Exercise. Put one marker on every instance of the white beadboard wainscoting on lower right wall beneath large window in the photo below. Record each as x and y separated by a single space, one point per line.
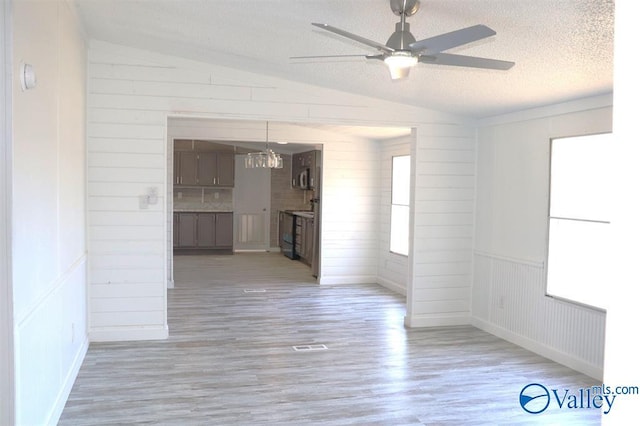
509 300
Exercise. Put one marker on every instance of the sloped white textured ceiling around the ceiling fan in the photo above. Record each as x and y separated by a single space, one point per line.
563 49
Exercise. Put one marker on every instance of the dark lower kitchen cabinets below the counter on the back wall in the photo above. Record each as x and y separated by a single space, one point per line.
203 230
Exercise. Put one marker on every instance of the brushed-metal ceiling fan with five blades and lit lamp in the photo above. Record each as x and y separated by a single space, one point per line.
402 51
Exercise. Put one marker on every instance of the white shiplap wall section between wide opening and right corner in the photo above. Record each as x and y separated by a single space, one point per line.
444 181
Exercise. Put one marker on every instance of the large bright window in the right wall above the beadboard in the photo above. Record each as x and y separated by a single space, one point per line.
579 217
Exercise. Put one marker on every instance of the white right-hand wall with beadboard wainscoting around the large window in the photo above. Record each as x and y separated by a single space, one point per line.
509 283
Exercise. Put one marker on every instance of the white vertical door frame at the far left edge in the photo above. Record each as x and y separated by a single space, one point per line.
7 387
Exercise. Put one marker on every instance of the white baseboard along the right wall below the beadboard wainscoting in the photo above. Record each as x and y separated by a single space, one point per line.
553 354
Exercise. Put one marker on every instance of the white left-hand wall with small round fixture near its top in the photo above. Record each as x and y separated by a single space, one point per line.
48 229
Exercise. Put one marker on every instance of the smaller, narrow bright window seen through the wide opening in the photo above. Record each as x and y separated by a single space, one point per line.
400 186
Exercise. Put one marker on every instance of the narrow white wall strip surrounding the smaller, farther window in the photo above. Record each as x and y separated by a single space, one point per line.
392 267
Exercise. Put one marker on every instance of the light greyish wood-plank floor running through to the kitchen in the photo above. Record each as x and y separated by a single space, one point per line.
229 359
